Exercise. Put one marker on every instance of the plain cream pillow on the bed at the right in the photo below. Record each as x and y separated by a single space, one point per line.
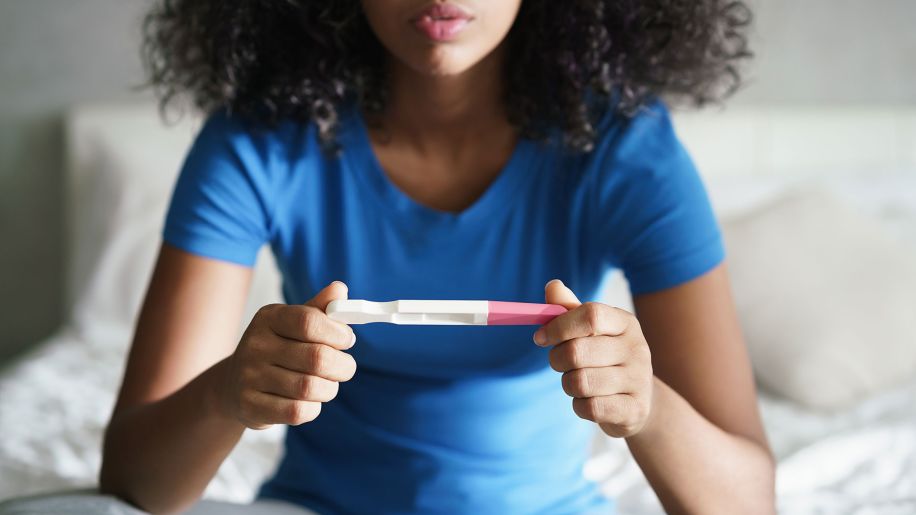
826 298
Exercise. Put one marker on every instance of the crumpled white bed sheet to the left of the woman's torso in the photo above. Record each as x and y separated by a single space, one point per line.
54 408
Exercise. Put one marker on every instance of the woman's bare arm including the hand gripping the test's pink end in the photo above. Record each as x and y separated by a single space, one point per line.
677 384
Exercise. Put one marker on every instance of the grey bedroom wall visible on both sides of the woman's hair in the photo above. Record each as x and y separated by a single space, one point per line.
56 53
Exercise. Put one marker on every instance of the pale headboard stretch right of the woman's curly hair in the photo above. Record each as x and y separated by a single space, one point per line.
771 141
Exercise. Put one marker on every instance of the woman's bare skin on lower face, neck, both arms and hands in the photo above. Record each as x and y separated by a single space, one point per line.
673 379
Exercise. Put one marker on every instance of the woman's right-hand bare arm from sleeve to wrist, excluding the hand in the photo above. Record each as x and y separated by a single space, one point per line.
703 448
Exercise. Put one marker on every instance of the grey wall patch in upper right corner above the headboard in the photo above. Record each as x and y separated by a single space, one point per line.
833 52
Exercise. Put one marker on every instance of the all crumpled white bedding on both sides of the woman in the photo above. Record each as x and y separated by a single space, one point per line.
55 403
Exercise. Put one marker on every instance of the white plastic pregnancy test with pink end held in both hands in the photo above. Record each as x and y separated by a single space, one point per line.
442 312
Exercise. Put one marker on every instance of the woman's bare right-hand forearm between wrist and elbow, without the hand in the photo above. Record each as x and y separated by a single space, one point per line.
696 467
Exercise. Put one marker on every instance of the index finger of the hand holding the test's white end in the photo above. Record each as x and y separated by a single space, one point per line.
310 324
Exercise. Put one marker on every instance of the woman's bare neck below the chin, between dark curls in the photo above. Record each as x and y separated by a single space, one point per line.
434 112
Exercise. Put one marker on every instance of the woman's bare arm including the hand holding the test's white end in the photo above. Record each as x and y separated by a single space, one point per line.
190 391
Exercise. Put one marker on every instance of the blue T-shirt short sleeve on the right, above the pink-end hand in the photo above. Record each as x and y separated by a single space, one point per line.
651 216
